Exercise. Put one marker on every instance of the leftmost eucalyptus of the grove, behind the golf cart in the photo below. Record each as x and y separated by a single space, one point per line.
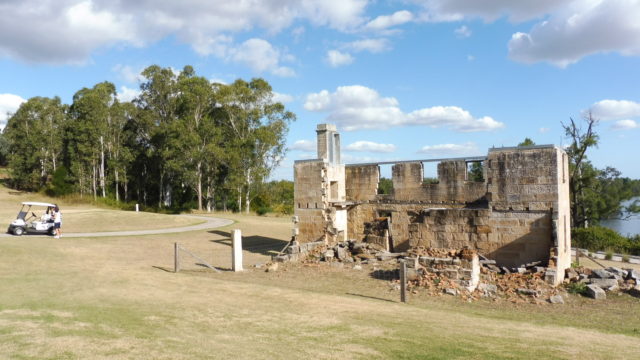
34 138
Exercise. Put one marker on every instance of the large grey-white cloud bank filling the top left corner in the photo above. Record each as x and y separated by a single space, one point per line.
68 31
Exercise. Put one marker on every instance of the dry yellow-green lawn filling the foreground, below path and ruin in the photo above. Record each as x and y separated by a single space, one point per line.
116 298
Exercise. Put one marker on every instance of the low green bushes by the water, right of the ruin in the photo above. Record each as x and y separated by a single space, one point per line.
597 238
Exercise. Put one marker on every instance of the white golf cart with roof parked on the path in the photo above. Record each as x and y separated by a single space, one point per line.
28 222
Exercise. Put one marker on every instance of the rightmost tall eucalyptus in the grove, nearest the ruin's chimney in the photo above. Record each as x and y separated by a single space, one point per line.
258 127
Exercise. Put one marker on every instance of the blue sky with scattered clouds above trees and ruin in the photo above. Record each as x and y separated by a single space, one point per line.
401 79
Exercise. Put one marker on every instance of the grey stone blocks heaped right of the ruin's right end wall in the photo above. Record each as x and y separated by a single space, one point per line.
597 283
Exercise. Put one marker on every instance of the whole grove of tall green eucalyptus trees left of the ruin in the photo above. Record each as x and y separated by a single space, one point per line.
182 143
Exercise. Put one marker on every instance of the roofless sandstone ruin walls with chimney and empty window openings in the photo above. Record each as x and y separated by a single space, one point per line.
518 214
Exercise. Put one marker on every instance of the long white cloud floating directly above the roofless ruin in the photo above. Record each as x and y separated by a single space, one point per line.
358 107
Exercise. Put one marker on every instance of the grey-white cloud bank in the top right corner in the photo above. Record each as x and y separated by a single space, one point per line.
566 32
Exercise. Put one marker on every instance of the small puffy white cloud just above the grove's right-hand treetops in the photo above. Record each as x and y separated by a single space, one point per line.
260 56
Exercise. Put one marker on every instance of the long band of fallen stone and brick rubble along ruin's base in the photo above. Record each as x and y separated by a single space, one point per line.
468 275
